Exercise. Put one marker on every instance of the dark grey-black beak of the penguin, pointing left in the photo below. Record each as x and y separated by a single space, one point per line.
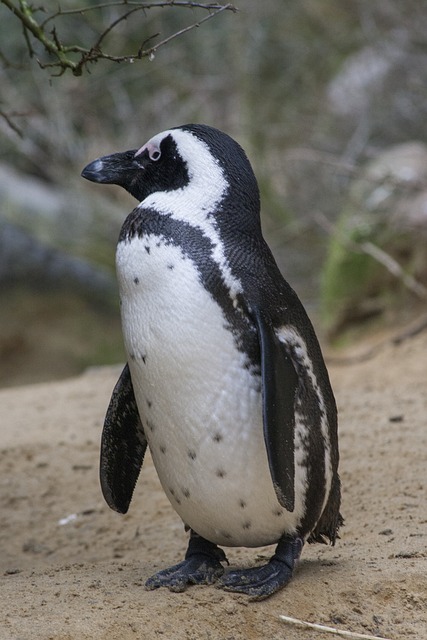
117 168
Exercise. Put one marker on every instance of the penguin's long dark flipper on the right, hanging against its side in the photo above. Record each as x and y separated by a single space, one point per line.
279 386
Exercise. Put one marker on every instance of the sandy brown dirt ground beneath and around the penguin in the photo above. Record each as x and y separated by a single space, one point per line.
72 569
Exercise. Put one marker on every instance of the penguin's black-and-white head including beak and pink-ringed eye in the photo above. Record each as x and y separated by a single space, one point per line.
193 158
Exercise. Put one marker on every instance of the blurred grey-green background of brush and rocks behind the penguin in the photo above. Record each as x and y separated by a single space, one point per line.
329 100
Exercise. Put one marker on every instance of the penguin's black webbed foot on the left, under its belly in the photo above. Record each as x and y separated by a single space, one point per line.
202 565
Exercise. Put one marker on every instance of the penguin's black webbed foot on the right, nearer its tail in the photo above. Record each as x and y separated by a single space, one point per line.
261 582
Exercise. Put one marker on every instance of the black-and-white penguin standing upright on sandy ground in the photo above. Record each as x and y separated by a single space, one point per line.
225 381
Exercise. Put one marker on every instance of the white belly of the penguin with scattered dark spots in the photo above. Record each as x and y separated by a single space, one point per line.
199 400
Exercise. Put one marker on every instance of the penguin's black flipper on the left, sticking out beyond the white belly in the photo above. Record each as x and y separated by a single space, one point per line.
123 446
